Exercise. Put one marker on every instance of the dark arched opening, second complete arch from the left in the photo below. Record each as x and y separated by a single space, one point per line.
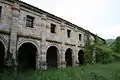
52 59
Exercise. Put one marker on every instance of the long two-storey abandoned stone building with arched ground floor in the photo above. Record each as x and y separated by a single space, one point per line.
33 38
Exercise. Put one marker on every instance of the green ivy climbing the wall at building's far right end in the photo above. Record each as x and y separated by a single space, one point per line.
92 51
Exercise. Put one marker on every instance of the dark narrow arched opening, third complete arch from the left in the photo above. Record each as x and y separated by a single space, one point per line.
68 57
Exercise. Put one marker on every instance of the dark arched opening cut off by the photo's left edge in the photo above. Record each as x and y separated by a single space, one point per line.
2 54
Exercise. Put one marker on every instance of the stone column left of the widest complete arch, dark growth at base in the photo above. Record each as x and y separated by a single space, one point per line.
11 55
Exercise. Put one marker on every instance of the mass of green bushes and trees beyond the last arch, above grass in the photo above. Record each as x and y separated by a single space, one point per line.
100 53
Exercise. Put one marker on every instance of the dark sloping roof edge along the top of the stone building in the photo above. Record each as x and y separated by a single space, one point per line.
33 8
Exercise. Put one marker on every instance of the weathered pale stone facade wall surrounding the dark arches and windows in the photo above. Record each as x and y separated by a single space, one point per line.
14 33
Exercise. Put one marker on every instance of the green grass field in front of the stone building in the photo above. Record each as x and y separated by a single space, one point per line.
88 72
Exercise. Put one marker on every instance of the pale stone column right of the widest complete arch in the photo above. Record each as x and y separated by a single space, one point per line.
42 60
